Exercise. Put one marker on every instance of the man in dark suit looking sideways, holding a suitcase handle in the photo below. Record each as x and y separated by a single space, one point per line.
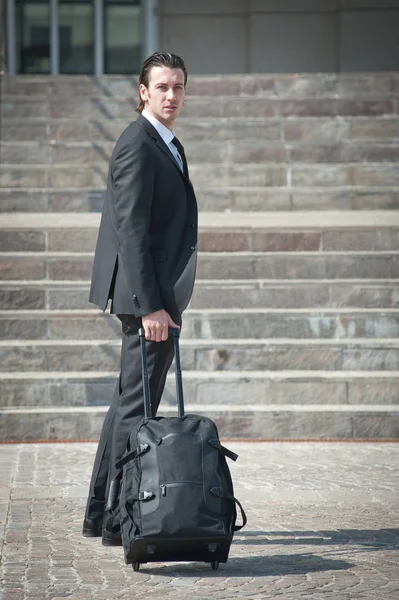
145 260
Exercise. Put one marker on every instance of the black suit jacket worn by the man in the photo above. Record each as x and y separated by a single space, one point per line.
145 257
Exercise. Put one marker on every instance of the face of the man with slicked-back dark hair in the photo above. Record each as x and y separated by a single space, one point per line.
165 94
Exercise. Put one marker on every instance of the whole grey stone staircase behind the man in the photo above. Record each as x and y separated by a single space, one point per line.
293 329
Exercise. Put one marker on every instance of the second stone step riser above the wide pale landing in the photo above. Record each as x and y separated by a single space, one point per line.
219 176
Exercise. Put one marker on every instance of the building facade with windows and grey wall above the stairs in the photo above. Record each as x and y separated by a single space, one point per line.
214 36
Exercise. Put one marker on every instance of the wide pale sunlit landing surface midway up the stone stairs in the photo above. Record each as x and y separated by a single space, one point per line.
220 219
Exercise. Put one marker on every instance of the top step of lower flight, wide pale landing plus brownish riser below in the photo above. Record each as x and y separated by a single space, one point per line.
218 232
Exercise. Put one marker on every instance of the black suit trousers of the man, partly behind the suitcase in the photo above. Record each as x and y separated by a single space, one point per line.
127 404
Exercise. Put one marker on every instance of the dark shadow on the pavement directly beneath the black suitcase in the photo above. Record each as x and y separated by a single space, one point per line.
252 566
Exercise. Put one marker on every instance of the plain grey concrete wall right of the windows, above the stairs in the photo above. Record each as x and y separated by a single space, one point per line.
261 36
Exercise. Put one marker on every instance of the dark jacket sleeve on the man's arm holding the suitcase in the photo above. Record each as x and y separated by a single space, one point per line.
132 177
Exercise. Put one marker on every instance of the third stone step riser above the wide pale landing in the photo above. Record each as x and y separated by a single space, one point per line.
221 152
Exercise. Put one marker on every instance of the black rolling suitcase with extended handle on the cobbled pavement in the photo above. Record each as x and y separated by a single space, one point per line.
174 494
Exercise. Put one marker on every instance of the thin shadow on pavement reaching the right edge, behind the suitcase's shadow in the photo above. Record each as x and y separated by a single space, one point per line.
374 538
